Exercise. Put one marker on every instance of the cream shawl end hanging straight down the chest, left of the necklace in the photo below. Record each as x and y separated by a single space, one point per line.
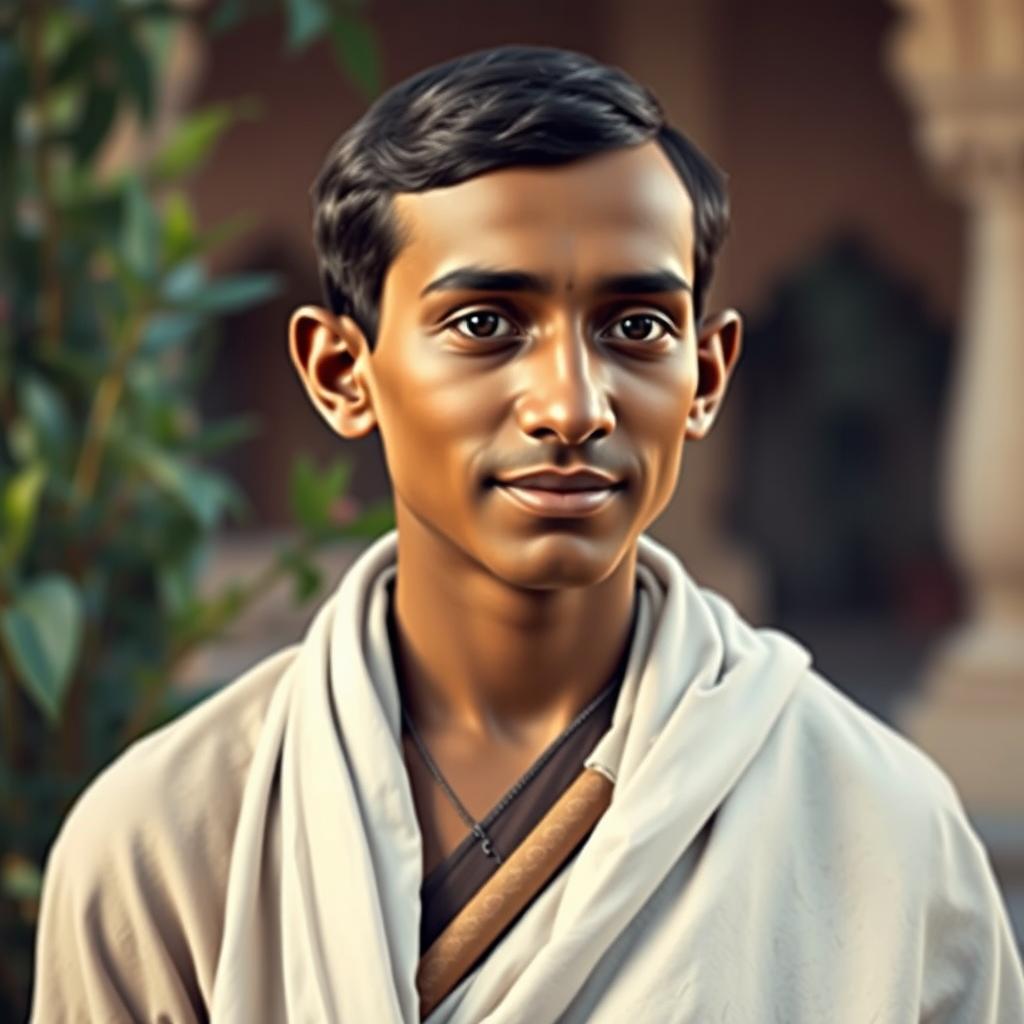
351 845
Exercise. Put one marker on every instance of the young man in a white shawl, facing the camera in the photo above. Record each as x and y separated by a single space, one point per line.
522 769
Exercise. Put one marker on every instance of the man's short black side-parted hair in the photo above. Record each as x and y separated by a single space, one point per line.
507 107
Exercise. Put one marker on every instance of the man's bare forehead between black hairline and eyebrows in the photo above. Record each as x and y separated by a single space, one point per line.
620 211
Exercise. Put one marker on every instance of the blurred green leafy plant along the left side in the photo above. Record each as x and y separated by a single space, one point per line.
109 494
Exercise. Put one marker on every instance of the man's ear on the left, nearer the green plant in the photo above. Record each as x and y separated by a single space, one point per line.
331 356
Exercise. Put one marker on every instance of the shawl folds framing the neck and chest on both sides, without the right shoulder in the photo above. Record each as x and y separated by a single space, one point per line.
351 852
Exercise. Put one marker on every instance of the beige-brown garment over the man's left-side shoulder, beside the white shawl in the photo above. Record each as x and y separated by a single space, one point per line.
136 883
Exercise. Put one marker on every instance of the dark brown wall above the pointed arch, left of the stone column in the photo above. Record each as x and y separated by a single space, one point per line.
817 138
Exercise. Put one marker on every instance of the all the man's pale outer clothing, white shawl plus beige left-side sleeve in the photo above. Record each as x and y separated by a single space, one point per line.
772 852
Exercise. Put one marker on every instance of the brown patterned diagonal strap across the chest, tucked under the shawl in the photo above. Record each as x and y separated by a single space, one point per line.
511 888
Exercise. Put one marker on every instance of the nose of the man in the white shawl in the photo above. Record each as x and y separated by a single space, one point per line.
566 394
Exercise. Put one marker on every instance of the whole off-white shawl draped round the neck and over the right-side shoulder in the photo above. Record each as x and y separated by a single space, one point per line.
772 852
